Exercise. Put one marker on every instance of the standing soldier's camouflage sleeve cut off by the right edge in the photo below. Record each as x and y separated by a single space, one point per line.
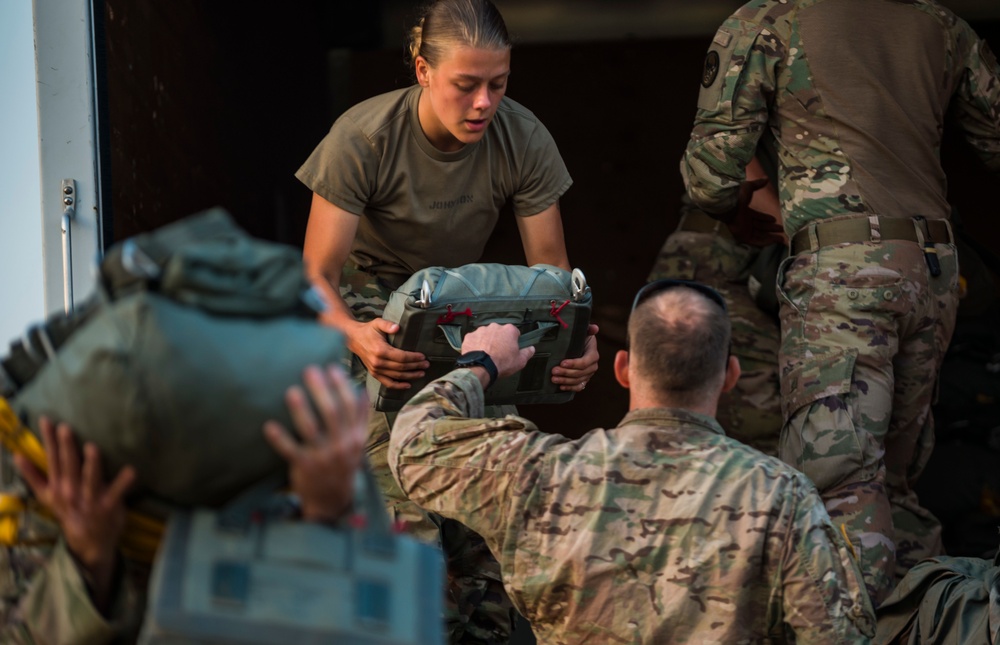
976 103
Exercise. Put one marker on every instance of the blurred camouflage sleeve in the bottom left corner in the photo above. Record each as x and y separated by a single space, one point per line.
44 599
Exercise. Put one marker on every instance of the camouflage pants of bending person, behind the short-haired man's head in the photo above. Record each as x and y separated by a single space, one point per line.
750 412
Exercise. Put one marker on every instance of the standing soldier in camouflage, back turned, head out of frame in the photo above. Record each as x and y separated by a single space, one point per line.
852 94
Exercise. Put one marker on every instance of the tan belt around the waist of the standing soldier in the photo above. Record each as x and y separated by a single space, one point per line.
859 229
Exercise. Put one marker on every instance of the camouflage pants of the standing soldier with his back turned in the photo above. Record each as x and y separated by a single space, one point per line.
864 330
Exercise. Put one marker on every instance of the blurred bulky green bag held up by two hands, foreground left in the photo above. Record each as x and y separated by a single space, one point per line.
187 348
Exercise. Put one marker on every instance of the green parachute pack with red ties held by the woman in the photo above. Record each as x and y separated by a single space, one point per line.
437 306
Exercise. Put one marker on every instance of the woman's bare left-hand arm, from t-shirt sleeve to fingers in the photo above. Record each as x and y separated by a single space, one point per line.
329 236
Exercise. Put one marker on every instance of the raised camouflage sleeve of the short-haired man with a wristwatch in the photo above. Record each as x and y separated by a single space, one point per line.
449 461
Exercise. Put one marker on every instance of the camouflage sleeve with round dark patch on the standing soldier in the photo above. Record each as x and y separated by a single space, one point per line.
737 84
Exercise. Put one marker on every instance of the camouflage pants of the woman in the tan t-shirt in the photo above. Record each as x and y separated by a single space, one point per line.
477 609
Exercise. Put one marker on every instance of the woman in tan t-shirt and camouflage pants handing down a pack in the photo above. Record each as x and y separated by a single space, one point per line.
415 178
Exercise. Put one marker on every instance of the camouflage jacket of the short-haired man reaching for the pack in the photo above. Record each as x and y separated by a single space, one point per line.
660 530
